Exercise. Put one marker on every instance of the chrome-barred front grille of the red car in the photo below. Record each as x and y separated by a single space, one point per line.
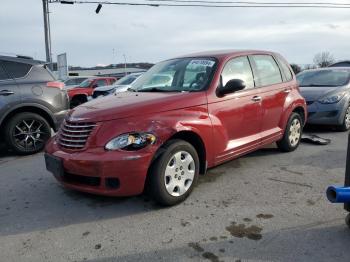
73 135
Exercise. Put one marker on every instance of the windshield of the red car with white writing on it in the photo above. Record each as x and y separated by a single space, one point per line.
176 75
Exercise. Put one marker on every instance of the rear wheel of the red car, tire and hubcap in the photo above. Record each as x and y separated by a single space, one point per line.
292 134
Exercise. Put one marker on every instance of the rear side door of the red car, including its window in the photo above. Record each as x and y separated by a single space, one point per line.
273 92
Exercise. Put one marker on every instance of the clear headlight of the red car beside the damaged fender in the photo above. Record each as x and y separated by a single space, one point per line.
131 141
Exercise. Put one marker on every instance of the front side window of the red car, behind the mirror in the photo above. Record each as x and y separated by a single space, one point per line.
238 68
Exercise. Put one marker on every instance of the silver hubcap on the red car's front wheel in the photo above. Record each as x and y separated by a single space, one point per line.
179 173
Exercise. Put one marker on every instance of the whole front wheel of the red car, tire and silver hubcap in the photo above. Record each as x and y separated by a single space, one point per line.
161 187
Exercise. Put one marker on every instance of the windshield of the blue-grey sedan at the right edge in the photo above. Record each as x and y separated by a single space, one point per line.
324 78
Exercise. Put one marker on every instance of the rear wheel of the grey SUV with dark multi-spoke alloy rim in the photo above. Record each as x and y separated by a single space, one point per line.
27 133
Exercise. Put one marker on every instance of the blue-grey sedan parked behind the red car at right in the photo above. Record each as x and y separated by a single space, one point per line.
327 94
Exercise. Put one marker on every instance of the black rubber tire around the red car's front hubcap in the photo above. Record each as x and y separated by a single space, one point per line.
157 173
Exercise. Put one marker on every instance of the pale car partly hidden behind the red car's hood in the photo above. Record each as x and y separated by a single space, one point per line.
121 85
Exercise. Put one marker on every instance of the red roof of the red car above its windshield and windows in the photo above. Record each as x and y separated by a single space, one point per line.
226 53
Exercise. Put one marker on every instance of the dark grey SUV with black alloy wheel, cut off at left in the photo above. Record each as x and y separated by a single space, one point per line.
32 103
